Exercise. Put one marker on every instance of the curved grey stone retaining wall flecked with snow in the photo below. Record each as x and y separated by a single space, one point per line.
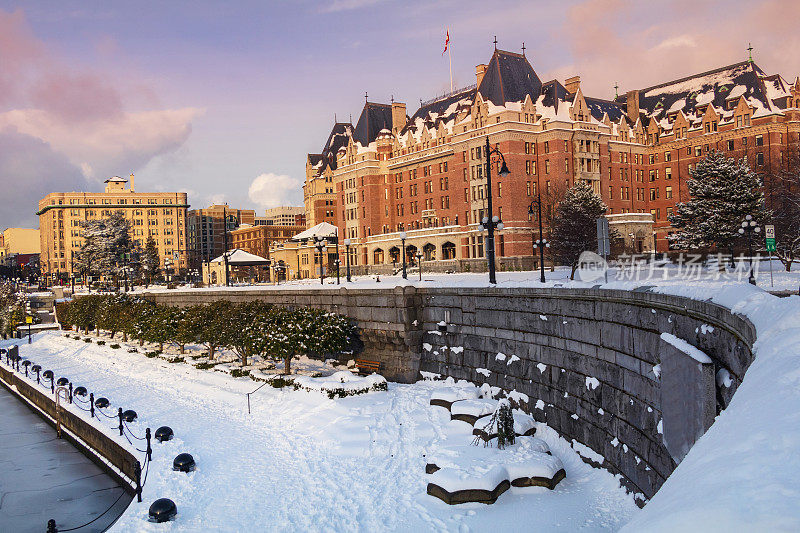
585 358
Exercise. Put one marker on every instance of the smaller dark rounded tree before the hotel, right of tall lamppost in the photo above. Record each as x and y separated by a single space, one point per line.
574 226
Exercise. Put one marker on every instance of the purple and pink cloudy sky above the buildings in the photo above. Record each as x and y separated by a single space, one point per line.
223 100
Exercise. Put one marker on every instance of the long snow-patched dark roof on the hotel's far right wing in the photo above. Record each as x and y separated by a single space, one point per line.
711 87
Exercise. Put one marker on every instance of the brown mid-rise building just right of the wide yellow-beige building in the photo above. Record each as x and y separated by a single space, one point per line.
206 230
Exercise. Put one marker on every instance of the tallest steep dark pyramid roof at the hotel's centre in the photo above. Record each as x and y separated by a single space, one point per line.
508 78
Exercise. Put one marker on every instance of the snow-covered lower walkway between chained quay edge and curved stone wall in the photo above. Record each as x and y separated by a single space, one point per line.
303 462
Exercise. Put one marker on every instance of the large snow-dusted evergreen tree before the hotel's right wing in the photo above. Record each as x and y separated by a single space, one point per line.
723 191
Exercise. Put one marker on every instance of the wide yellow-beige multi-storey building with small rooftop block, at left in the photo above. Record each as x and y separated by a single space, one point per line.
161 215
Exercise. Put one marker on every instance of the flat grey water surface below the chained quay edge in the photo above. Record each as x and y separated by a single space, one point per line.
43 477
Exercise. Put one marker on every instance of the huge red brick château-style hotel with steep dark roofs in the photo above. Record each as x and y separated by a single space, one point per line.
424 174
